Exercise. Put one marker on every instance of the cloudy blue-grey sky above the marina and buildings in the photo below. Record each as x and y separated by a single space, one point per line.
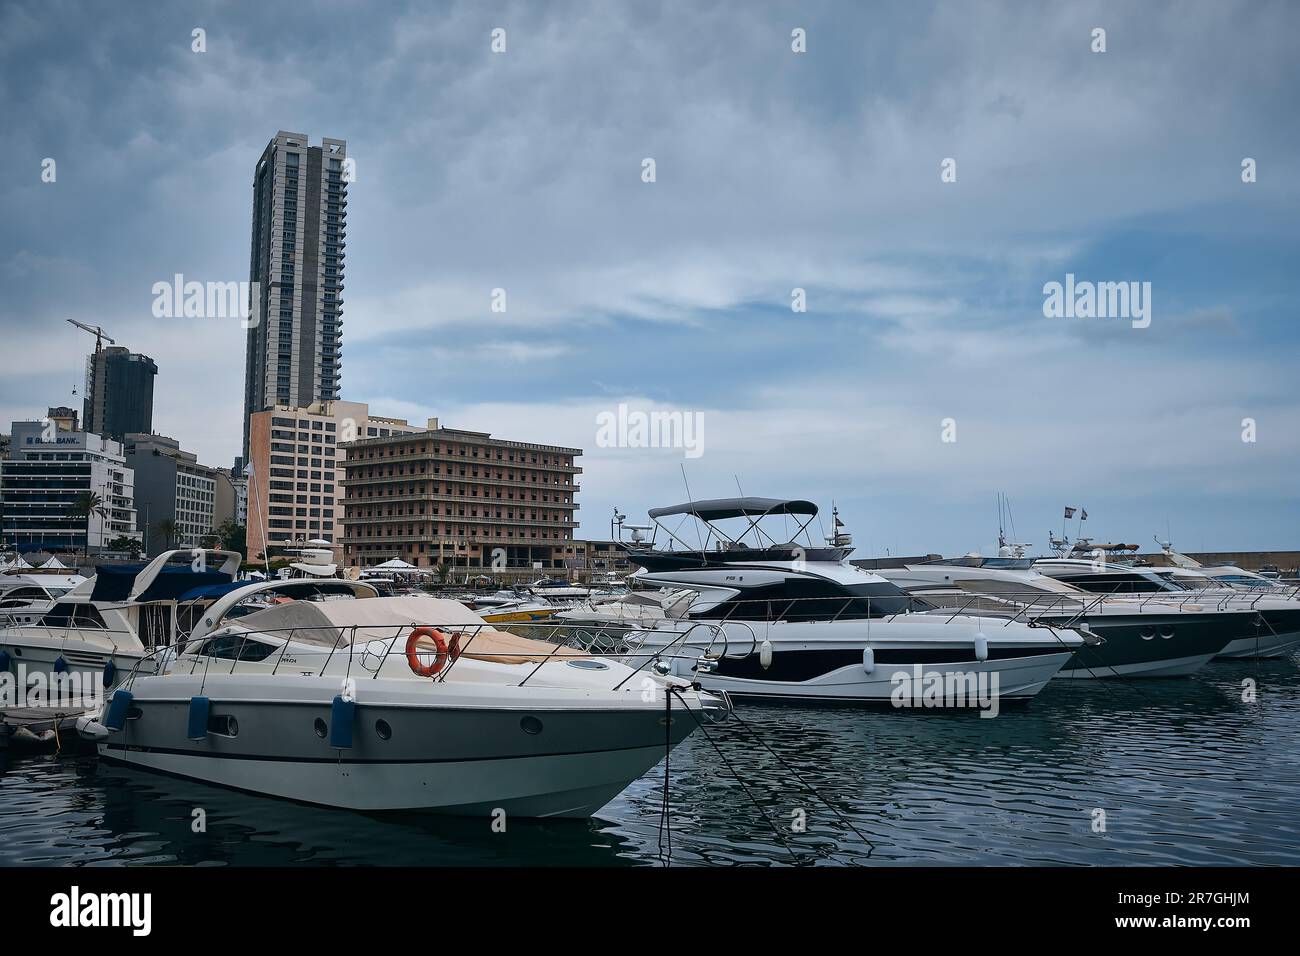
774 171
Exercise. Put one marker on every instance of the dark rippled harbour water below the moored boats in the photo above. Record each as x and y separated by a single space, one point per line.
1185 772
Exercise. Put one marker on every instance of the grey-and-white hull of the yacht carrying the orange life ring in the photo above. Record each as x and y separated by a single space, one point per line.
552 762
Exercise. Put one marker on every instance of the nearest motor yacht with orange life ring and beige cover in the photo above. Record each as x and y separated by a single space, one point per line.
400 704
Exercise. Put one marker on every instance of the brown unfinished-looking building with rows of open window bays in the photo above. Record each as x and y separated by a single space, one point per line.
444 496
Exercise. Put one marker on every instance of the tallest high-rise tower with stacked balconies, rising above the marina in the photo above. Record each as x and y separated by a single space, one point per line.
300 231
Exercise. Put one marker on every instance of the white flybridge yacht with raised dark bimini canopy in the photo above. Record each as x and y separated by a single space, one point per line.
778 618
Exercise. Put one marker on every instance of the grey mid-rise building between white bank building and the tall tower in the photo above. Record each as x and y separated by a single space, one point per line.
171 486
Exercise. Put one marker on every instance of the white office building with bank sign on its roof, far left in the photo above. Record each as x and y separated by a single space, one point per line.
40 483
